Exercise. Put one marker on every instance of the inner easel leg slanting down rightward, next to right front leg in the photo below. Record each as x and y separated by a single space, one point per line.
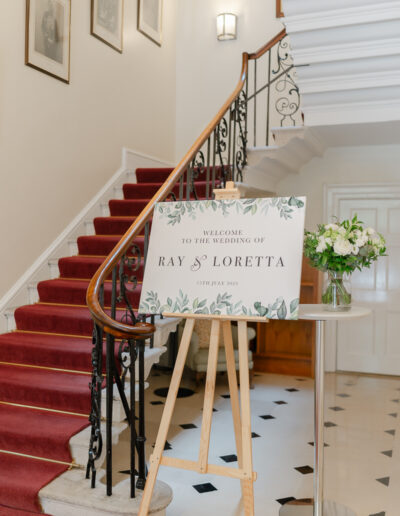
233 388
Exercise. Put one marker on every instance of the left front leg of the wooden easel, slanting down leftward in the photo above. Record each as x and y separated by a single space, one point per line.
155 459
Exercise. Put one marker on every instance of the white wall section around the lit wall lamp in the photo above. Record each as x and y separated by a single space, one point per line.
208 69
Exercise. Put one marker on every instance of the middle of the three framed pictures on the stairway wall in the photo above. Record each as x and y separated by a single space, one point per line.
107 21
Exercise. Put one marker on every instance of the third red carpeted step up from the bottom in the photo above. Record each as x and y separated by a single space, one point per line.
46 389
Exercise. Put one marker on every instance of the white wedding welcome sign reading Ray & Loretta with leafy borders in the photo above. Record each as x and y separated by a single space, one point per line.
226 257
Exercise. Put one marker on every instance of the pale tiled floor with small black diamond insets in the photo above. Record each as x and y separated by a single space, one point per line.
362 453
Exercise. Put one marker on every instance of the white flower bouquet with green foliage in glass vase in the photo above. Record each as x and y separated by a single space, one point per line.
340 248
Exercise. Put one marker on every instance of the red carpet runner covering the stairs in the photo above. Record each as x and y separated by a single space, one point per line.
45 364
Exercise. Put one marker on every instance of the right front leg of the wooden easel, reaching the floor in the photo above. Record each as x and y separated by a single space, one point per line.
248 488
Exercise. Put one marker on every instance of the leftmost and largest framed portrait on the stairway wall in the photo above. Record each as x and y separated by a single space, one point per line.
48 34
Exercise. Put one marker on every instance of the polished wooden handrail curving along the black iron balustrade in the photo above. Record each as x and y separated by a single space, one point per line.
144 330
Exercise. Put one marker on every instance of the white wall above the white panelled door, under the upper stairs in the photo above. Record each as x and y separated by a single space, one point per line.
341 165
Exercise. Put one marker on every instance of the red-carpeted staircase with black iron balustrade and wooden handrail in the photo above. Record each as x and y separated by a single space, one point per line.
55 354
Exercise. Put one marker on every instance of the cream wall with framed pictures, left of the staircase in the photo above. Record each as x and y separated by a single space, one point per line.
60 143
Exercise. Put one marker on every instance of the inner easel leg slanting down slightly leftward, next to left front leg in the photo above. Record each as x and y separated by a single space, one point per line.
209 396
